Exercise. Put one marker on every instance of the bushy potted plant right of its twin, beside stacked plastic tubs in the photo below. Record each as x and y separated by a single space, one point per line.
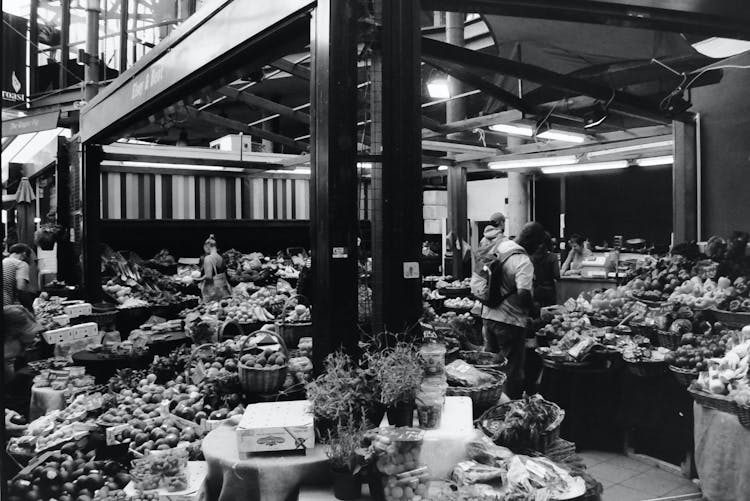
397 373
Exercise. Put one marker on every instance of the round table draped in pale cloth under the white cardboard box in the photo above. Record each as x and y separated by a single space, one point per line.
263 477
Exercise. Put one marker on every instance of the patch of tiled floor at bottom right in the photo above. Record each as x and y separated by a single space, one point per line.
629 479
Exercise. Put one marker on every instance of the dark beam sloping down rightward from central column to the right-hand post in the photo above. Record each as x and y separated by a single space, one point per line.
470 59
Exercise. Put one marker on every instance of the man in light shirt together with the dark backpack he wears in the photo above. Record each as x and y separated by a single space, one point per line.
503 281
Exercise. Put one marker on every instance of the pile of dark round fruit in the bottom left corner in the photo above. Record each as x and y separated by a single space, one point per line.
67 475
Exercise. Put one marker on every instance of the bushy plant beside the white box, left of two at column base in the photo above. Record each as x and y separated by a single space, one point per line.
341 396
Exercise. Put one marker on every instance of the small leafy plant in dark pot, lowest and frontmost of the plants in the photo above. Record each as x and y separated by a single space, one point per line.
345 455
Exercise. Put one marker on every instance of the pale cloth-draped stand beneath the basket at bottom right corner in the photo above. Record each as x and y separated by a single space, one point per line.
722 455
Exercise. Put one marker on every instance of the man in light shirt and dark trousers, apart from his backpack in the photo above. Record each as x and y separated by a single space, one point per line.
504 326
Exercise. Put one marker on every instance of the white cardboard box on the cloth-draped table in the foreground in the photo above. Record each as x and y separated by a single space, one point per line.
276 426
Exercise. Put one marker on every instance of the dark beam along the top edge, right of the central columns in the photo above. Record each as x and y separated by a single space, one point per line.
730 18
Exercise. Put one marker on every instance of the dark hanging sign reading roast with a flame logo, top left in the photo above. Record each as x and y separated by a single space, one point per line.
14 60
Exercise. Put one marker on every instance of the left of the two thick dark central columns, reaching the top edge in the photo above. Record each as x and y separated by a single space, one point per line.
333 183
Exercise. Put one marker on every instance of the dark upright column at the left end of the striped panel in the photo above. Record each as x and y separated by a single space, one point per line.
91 244
